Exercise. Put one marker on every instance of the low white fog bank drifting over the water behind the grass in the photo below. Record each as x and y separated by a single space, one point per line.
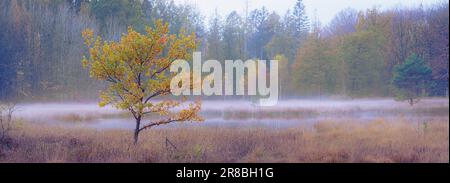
240 113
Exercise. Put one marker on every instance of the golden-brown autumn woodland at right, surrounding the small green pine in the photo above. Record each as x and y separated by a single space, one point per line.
355 55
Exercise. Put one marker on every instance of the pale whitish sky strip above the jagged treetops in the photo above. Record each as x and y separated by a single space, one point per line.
324 10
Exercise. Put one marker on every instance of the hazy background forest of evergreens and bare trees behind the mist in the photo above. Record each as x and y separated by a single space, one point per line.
353 56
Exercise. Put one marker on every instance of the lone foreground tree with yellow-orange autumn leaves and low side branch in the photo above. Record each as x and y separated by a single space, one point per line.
136 70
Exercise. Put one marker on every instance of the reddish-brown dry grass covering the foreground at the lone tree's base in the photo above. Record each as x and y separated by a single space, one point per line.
376 141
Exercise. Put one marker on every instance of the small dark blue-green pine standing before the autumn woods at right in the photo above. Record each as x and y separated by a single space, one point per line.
411 79
